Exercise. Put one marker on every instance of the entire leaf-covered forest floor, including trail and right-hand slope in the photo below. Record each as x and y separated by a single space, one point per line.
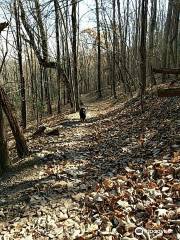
99 179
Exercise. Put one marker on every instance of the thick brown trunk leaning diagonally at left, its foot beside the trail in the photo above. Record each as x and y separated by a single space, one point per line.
22 149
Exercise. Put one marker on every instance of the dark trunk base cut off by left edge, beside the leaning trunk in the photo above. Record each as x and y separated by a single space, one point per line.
4 160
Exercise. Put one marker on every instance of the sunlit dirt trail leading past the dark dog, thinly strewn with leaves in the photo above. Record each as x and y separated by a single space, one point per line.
59 170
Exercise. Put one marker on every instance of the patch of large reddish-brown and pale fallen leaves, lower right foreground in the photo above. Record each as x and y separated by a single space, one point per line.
145 204
